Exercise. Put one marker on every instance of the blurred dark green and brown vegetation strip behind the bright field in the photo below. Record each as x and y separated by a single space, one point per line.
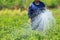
25 3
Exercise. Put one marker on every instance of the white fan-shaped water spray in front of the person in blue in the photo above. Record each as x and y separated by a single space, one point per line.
43 21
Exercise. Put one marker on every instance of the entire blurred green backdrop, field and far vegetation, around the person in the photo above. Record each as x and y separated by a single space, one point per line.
13 16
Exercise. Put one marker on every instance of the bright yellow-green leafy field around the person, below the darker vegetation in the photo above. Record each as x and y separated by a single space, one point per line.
11 29
